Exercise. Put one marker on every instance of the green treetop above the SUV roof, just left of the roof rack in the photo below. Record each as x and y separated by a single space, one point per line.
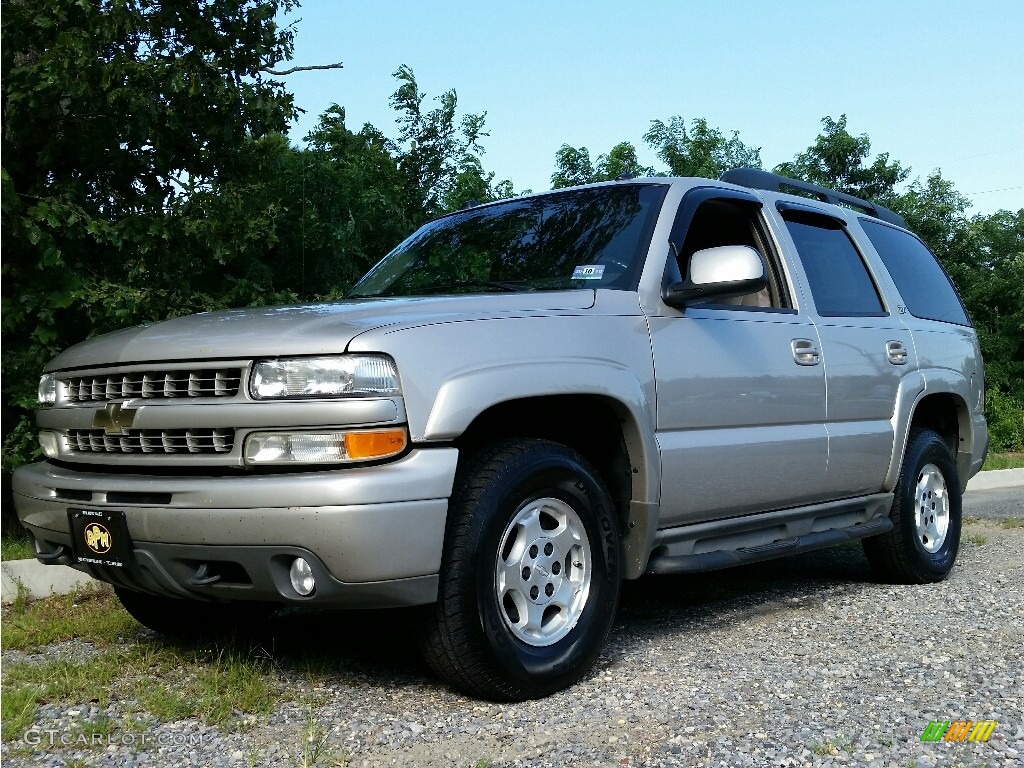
701 150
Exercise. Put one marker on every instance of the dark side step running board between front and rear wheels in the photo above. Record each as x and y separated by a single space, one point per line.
729 559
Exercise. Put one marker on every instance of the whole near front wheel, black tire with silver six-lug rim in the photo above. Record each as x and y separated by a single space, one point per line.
513 495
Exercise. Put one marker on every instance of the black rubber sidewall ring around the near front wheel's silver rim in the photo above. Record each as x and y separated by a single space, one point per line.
548 471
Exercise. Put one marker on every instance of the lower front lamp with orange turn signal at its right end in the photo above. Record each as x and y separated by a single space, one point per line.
324 447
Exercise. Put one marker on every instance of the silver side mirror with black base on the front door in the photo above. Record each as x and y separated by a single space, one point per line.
718 273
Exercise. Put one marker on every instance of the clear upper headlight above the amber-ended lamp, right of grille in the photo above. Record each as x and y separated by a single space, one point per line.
325 377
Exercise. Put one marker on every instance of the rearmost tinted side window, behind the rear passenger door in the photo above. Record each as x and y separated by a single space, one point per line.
923 284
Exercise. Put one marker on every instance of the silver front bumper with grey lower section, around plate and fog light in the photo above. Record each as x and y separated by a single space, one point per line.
373 535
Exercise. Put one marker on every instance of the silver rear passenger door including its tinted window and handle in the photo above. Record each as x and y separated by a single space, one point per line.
866 350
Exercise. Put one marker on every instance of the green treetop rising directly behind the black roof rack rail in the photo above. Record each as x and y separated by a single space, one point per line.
840 161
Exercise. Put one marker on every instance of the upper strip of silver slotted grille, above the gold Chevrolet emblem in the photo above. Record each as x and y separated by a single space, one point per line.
209 382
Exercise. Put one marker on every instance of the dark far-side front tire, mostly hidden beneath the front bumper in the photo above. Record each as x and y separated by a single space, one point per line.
184 619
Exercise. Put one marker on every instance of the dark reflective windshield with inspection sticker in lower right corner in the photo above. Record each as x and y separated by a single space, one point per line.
594 238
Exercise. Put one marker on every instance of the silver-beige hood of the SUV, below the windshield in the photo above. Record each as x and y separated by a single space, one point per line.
297 330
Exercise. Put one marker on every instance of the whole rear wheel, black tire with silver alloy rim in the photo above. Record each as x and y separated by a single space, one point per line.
920 549
